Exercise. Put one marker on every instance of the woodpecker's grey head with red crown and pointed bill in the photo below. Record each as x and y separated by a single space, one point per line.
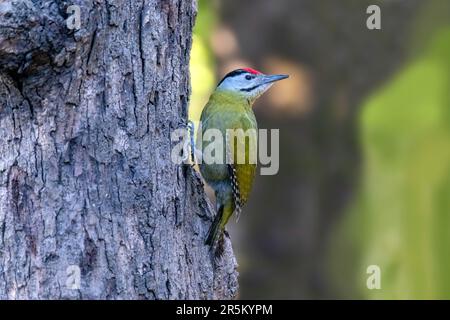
248 83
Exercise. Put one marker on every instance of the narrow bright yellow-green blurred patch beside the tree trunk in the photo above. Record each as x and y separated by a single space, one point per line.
202 64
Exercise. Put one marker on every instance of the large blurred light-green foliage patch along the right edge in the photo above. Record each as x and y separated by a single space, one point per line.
401 218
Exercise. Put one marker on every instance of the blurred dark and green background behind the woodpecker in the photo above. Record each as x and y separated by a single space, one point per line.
364 144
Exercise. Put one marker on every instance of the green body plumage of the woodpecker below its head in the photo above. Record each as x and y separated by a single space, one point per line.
226 110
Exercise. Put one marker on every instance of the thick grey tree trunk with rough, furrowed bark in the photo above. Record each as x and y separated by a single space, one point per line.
86 179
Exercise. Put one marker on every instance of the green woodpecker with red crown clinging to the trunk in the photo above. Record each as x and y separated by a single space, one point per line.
230 107
